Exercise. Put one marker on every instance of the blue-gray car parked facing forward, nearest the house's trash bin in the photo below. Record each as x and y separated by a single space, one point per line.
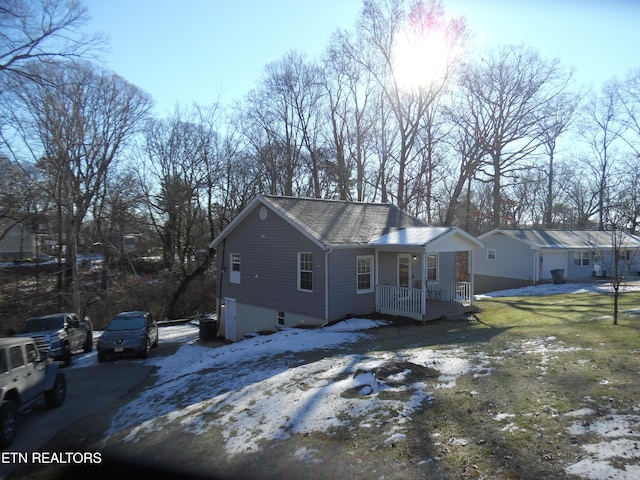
128 334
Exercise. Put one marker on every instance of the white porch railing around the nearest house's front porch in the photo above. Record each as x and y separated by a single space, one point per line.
407 302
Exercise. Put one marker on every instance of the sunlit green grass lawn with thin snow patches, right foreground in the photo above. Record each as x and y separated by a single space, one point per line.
552 355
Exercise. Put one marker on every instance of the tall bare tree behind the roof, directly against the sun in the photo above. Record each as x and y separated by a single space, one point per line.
388 27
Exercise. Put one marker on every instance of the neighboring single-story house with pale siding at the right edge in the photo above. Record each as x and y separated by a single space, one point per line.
512 258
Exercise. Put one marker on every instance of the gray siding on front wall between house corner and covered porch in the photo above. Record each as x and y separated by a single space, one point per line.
344 299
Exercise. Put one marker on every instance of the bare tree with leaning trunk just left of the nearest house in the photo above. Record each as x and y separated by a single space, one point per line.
186 175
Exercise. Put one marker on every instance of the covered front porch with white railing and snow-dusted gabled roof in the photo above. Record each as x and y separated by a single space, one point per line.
425 273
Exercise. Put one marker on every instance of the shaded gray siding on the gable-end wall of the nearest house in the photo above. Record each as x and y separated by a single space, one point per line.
269 266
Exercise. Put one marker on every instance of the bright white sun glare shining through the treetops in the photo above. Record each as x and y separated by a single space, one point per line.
418 62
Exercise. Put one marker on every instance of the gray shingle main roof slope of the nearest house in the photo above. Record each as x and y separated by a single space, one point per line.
337 222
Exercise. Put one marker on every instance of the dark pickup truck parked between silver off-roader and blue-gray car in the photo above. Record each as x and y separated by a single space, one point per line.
59 334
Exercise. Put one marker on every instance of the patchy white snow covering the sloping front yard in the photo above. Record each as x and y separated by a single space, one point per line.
240 389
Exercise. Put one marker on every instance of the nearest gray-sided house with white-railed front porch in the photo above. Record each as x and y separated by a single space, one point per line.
297 262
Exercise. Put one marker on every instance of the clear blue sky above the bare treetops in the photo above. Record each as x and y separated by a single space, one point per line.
206 50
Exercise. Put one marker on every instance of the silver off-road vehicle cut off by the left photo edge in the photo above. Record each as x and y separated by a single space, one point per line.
26 377
